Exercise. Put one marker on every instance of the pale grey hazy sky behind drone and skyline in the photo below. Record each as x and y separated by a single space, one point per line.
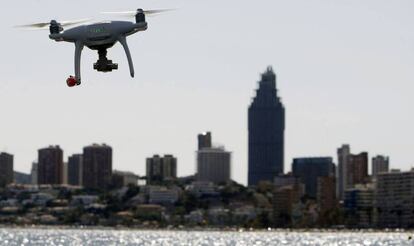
345 74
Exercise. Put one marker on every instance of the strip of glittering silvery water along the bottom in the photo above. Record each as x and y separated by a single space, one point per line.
120 237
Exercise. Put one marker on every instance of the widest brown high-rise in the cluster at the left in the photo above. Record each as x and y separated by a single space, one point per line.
97 166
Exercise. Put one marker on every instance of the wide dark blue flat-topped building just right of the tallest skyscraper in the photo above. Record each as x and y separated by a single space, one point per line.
310 169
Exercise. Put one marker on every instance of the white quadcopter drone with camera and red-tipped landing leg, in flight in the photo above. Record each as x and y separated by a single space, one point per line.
99 36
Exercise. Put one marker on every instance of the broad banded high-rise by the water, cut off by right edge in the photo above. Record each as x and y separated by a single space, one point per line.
394 200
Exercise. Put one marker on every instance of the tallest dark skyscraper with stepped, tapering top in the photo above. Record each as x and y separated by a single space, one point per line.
266 126
